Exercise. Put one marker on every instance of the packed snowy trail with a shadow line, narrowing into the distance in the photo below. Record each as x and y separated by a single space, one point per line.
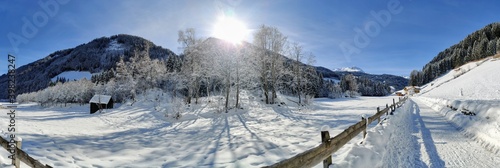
443 145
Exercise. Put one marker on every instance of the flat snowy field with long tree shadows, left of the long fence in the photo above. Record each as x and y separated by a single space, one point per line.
137 136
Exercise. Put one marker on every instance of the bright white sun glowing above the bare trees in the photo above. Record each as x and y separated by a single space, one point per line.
230 29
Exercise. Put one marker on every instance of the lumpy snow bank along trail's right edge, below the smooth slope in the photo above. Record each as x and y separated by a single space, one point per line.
483 123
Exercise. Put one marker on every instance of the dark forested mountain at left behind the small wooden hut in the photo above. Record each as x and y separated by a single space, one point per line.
99 55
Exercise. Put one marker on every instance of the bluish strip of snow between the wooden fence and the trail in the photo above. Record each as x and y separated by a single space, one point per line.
381 140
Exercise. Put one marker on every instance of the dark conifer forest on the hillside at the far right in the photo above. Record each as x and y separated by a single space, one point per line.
478 45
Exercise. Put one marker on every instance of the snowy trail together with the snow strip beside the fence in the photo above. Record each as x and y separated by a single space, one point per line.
419 136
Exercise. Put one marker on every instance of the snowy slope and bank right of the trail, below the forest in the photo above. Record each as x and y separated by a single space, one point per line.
472 88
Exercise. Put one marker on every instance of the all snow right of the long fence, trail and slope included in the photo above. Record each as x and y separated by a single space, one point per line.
454 122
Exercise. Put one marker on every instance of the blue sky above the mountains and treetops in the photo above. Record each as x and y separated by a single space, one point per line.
416 31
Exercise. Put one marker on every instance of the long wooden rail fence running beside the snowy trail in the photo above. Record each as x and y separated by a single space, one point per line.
323 152
